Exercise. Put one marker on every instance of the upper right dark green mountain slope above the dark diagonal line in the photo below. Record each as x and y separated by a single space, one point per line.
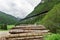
44 6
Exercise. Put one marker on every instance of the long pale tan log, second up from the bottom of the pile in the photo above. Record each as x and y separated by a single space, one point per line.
23 35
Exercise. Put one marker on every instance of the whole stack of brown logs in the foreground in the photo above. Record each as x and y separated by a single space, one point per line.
27 32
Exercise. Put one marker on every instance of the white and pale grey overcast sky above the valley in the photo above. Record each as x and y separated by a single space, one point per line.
18 8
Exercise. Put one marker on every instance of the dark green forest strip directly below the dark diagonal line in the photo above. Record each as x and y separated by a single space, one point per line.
32 20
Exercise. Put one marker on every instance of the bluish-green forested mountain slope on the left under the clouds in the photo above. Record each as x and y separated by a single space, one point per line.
7 19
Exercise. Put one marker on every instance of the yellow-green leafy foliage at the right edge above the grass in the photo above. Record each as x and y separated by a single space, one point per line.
52 19
